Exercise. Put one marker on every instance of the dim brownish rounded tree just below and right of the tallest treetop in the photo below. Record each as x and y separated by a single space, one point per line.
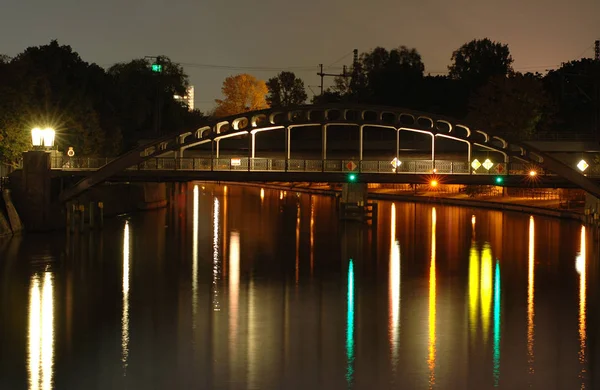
514 106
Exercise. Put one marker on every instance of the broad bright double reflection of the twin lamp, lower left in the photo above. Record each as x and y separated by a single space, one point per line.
41 332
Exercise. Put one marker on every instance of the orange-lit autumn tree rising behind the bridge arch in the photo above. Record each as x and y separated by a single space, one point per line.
243 93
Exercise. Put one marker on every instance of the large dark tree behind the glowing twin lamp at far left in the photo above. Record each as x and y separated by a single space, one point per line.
53 84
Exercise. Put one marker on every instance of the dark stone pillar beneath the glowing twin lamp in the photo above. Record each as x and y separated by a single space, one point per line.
35 190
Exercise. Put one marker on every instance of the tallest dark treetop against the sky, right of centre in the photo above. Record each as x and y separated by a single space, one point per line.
477 61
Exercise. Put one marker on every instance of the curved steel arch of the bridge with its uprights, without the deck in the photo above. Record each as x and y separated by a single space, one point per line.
249 124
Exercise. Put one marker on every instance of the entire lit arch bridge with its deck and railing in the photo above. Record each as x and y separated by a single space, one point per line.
243 130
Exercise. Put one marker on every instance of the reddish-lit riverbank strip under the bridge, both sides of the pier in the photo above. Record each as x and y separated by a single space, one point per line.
541 207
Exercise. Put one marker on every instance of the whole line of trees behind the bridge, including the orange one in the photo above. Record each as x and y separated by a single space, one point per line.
107 111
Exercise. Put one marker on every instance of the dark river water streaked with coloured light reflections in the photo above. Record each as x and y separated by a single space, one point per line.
242 288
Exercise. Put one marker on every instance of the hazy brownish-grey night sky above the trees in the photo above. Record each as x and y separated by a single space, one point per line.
264 37
